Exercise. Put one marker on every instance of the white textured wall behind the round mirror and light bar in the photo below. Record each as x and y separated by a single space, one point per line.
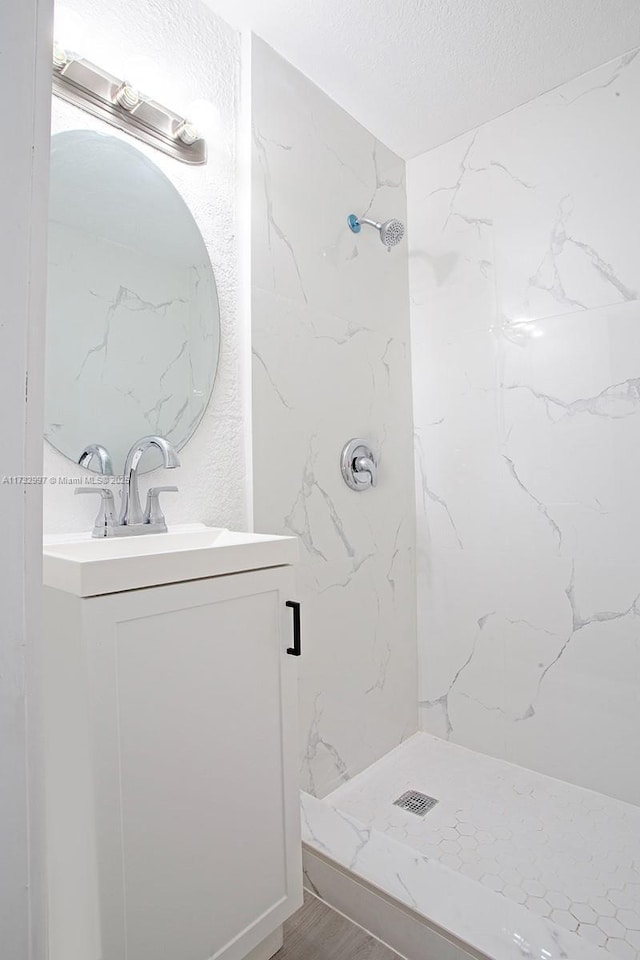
181 54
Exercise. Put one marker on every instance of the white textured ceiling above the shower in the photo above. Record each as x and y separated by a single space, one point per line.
418 72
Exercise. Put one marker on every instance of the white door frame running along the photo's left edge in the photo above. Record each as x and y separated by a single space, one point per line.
25 63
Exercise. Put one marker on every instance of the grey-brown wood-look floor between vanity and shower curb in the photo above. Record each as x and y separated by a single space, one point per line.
316 932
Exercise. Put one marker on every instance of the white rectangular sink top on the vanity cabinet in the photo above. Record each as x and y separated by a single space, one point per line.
89 567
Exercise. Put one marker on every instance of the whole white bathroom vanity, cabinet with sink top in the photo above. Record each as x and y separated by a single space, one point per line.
172 800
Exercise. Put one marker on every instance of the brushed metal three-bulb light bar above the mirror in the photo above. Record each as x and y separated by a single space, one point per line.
116 101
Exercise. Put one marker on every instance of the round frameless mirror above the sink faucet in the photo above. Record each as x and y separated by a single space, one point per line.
133 322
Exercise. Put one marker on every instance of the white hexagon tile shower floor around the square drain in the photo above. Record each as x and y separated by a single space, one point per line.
561 851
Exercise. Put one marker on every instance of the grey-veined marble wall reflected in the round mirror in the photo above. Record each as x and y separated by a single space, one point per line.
120 323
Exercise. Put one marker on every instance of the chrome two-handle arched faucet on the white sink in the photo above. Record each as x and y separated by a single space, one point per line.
132 520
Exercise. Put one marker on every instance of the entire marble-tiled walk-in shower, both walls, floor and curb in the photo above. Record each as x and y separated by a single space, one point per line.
507 340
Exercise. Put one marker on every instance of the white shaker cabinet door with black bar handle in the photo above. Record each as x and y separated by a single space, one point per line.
193 722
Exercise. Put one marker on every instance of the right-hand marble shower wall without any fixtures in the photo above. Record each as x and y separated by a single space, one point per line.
526 366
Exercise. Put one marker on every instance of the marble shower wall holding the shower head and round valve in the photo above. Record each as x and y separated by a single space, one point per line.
330 319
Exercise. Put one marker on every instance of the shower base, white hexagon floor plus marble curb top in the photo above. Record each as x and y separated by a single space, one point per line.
507 854
